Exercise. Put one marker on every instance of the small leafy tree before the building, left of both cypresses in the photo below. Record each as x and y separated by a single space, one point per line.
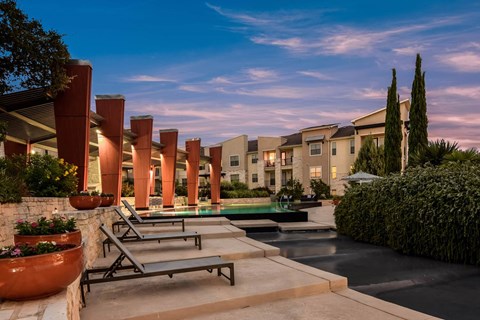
370 158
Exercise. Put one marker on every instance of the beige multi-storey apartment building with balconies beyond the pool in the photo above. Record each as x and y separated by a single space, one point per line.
324 152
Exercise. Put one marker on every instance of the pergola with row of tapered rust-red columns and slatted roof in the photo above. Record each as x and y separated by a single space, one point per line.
67 125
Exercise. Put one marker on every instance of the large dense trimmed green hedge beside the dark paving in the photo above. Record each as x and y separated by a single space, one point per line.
432 212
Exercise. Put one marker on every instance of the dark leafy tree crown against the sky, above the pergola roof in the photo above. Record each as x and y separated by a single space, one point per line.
30 56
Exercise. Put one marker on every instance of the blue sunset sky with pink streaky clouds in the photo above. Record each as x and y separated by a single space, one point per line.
219 69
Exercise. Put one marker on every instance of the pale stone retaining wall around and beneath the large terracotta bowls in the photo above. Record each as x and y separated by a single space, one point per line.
67 304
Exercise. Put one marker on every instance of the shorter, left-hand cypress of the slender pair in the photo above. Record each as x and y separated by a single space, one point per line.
393 130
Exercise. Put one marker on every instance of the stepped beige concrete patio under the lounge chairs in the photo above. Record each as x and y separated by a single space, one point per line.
267 285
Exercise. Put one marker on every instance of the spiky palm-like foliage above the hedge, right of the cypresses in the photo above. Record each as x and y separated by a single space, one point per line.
434 154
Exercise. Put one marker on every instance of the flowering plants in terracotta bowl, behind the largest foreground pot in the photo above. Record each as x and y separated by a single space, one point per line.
58 229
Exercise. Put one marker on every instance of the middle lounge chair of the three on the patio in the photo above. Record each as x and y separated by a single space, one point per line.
138 236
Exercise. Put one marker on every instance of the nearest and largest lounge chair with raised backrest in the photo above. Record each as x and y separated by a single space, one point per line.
140 270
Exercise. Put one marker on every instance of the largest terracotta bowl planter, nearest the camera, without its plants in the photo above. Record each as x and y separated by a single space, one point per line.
39 276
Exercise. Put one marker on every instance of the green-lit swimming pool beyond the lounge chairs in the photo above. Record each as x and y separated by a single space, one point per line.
273 211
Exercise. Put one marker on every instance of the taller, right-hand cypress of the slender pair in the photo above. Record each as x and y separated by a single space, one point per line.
418 136
